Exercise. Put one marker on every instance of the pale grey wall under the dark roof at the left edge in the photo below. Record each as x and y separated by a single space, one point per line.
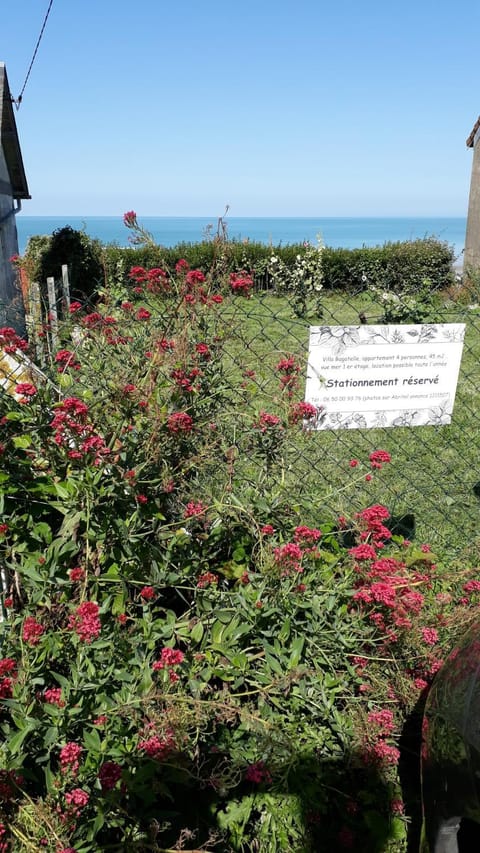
11 307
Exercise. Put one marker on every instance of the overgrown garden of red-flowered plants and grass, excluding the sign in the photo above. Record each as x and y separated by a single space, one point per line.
218 626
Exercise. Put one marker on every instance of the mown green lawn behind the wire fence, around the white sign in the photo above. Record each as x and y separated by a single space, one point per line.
433 478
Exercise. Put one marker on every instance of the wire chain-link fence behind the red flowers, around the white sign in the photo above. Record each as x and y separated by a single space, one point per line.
431 487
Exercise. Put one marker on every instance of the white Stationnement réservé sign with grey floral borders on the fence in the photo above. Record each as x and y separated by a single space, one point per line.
383 376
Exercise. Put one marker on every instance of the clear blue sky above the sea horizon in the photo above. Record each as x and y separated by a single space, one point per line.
288 108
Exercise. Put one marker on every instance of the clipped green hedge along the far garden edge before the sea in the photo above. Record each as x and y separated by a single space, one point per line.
394 266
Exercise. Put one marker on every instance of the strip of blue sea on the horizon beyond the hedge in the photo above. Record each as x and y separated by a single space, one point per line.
345 232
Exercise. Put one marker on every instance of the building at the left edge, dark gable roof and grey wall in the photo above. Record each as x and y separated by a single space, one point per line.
13 188
